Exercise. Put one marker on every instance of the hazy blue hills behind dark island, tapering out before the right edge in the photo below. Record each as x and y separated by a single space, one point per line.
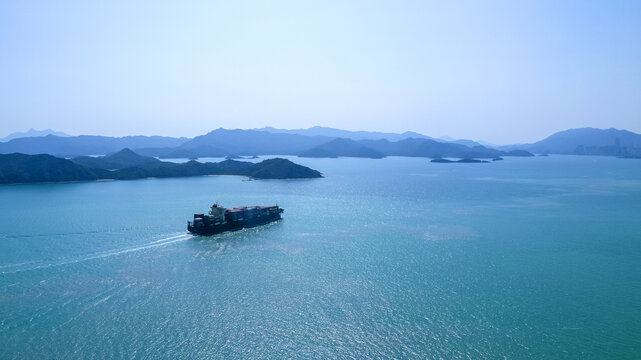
222 142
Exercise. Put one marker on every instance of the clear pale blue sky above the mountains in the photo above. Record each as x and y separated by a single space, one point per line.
498 71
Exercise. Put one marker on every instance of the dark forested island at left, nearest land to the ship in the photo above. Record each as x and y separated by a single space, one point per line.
19 168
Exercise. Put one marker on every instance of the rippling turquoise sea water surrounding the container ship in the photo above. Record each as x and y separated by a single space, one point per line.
391 258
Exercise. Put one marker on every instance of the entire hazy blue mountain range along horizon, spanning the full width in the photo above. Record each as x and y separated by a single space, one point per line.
323 142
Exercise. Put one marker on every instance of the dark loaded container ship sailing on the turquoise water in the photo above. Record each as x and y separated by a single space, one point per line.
220 219
